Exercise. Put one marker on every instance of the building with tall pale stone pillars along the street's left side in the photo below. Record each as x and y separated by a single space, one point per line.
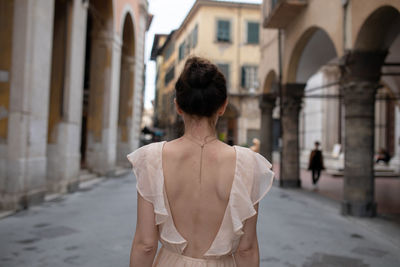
71 90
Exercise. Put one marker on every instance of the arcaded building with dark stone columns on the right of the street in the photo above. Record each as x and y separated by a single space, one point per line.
334 65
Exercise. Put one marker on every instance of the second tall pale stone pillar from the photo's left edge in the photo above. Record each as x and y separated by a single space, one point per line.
64 154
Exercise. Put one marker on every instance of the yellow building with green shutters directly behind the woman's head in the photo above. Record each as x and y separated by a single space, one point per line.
227 33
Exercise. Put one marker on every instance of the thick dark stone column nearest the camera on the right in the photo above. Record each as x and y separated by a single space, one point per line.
361 74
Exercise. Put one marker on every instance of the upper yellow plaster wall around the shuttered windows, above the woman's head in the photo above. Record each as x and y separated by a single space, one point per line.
237 53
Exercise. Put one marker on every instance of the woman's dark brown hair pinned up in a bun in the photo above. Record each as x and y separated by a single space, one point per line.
201 88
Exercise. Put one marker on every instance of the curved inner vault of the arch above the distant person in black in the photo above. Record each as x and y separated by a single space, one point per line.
313 50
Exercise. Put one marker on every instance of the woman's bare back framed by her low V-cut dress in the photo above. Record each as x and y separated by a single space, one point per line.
197 203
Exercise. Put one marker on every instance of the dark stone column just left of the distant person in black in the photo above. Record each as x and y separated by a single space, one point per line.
290 161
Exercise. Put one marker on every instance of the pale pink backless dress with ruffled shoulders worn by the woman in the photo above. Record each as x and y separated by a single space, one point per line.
252 180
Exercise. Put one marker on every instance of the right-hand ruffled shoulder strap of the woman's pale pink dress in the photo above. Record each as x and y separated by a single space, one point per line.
253 179
